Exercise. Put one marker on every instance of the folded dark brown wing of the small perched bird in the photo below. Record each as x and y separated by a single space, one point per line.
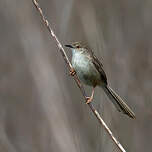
99 66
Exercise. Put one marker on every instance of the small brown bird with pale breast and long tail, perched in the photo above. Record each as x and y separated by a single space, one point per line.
90 71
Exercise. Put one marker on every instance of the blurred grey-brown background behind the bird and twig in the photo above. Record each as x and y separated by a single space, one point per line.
41 108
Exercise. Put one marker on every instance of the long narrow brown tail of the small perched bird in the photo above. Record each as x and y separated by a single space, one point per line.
118 102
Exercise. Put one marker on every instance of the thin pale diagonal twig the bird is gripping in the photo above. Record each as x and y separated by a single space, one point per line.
75 77
